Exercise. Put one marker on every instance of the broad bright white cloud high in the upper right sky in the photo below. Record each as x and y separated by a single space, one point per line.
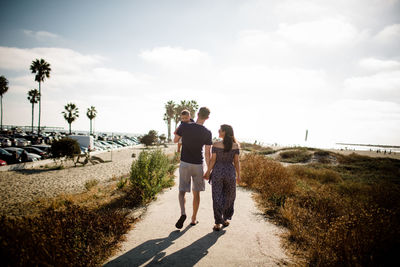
324 32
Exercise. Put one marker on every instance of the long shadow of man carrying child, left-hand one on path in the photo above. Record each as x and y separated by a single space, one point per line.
147 250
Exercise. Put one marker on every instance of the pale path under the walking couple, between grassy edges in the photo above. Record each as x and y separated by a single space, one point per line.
154 241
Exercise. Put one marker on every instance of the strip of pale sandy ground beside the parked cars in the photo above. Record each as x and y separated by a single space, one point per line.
18 187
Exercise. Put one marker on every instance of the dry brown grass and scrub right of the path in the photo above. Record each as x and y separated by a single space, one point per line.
345 215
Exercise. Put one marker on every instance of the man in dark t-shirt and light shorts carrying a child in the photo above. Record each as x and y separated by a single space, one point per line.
194 137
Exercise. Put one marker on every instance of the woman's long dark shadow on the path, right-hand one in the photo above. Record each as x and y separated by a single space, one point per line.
189 255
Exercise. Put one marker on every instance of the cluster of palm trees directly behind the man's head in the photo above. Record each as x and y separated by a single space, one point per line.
173 111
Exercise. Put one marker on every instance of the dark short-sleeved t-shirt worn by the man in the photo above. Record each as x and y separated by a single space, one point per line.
194 137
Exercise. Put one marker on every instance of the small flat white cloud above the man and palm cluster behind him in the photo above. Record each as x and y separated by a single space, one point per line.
175 58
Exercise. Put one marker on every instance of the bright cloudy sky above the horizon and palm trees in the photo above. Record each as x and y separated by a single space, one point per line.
271 69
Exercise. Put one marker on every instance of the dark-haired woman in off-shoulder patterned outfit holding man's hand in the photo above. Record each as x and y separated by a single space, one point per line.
223 170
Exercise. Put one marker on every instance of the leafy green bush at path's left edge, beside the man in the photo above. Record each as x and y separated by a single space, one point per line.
150 173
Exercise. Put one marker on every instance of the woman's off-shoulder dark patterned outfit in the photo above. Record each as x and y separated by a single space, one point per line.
223 183
